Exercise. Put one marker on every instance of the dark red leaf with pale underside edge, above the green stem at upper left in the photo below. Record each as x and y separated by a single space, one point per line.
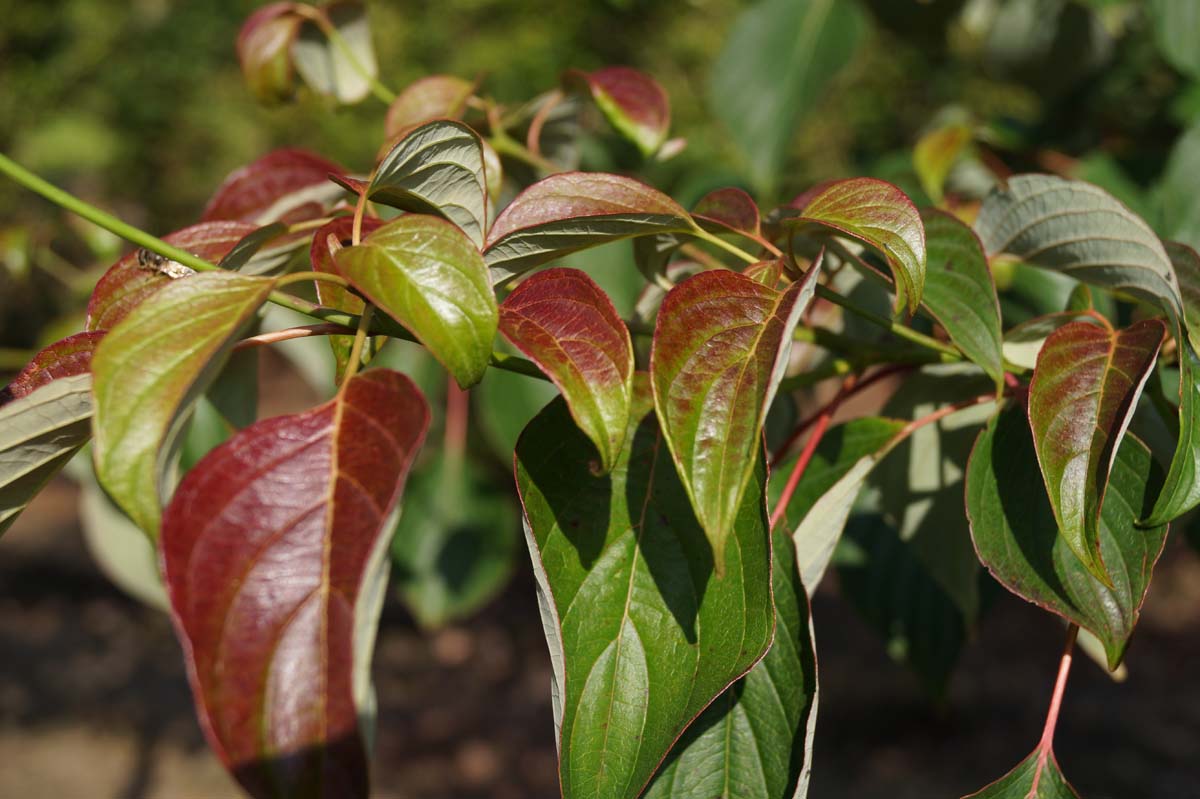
283 187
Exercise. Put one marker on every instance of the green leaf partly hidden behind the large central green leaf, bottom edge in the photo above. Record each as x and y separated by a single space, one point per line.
755 742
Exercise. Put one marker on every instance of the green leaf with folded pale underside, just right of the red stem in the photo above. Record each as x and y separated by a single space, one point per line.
826 495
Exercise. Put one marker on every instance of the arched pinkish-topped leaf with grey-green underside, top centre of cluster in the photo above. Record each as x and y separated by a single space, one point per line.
574 211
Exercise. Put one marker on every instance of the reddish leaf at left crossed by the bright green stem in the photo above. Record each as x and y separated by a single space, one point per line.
128 284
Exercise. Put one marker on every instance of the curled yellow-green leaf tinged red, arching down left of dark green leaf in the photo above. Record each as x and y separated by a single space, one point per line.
879 215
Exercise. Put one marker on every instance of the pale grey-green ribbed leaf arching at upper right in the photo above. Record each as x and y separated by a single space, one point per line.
1082 231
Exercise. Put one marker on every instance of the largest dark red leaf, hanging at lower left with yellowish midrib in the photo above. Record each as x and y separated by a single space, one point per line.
277 603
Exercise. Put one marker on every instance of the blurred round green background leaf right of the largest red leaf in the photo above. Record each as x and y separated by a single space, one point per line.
454 546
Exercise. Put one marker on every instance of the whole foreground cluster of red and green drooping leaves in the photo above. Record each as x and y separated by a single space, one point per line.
679 512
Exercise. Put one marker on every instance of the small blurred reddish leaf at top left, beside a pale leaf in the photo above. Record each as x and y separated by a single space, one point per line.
265 51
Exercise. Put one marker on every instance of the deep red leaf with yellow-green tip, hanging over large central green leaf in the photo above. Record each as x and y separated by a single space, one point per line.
569 327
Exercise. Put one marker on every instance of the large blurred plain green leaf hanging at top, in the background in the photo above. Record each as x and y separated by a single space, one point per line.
775 69
